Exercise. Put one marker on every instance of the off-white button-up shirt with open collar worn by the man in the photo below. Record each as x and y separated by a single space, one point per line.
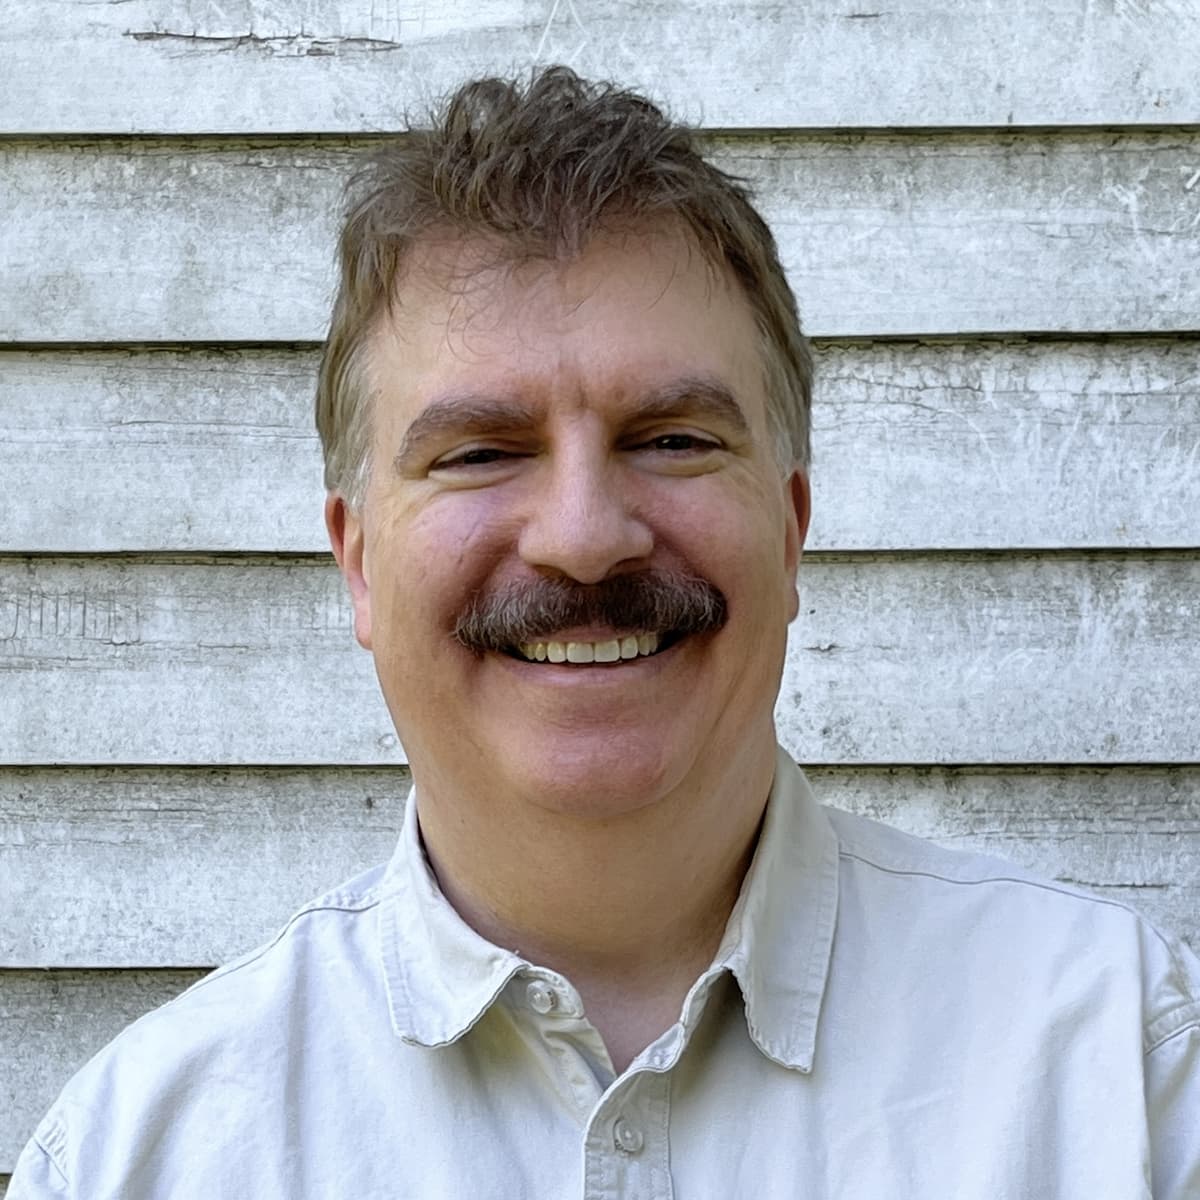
884 1019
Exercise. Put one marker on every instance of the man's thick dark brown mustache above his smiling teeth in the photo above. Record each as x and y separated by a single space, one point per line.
643 603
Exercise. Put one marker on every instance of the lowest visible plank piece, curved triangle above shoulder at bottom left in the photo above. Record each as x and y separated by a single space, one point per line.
52 1023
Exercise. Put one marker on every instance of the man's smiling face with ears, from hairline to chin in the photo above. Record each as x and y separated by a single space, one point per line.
561 427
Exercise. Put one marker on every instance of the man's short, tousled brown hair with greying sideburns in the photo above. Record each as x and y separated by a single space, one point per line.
542 167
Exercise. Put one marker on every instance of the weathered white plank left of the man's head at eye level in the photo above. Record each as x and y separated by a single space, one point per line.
170 451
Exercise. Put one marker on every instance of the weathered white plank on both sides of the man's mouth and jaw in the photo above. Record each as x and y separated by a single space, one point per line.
923 659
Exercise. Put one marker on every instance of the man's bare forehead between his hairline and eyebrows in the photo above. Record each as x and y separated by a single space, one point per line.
635 310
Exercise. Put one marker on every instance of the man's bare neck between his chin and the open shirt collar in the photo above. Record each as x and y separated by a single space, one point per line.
631 909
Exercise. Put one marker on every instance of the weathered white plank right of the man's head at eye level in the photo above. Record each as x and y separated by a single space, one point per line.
1052 445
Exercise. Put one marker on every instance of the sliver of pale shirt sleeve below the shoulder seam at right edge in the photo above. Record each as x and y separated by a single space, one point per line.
1173 1102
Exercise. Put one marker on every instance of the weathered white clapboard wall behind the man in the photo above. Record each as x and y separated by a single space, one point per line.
992 218
